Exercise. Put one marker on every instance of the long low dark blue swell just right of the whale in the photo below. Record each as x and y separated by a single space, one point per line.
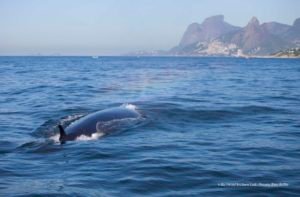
229 113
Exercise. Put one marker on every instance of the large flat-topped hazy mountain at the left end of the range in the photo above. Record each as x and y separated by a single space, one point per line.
210 29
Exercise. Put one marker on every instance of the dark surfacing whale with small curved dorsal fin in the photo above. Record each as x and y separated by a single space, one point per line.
93 123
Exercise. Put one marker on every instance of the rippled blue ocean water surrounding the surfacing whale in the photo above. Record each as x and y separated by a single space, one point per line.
211 126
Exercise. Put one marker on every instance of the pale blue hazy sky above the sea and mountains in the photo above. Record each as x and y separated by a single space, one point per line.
110 27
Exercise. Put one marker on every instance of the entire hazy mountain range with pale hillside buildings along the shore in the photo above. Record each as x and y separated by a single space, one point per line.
214 36
